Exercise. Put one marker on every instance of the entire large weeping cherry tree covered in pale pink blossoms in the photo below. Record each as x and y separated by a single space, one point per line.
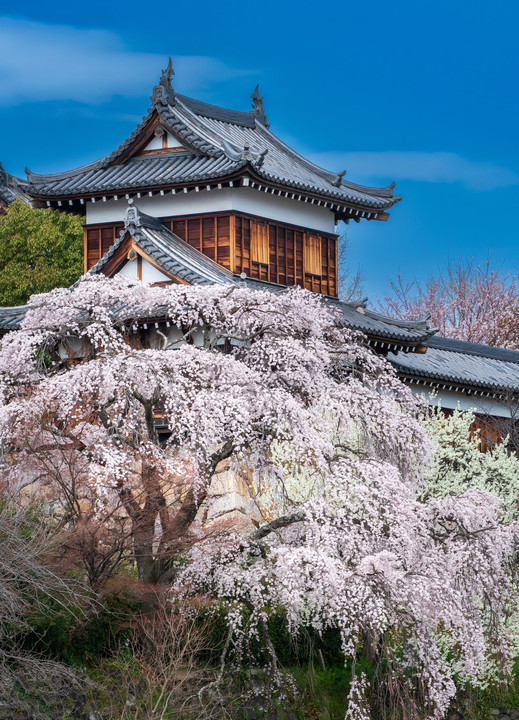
276 385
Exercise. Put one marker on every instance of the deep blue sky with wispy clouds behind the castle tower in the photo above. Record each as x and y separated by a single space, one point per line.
420 92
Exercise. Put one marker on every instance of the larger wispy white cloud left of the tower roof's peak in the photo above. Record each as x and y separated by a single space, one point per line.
42 62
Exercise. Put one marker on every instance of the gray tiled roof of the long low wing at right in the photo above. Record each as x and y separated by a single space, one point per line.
462 364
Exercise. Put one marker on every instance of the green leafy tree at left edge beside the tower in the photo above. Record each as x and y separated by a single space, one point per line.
39 250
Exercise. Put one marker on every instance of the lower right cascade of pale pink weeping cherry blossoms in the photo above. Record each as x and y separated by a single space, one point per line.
421 587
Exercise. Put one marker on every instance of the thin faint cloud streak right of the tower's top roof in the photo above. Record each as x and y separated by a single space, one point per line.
434 167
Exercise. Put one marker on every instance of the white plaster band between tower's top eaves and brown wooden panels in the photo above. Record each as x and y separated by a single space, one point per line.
241 199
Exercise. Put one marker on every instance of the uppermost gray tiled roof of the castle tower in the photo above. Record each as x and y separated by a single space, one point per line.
218 142
